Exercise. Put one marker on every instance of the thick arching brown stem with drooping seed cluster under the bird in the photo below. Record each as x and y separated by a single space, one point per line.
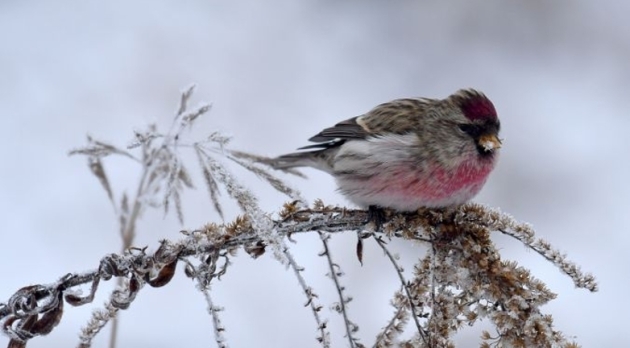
472 279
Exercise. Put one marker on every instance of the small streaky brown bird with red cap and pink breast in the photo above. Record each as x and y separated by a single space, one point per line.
409 153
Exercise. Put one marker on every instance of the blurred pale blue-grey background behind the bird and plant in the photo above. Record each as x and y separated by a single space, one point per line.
277 72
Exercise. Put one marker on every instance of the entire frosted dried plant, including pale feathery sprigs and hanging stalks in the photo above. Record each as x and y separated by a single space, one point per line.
460 280
